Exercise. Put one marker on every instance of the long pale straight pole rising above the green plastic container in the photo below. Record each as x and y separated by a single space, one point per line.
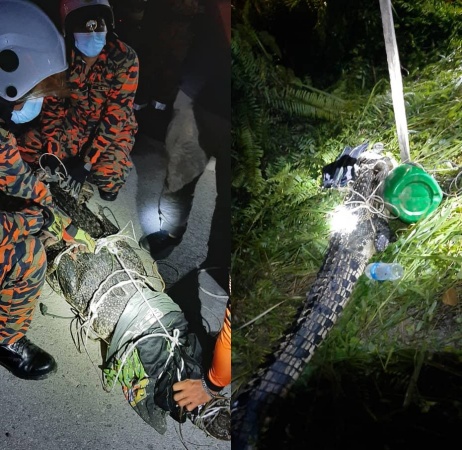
396 82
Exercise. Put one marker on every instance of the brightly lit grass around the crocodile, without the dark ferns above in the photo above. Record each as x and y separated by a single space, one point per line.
276 260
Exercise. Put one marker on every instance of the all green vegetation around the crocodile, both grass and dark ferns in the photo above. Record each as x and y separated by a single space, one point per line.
285 130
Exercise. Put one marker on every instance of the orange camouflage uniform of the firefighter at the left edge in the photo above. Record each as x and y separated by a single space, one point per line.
22 256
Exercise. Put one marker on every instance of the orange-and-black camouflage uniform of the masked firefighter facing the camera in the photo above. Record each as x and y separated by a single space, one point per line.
97 121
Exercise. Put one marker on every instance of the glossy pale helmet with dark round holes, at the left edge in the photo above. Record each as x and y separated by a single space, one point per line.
31 48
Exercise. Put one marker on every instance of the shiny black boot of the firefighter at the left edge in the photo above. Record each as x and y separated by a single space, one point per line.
27 361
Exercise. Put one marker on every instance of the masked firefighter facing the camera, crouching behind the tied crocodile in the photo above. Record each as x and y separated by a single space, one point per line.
93 131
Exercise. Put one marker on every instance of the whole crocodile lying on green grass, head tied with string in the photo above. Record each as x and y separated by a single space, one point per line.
344 262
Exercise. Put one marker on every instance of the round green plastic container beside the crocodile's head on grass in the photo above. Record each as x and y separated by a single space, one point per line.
411 192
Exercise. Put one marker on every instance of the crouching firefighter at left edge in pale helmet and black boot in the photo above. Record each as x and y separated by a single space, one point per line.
32 61
